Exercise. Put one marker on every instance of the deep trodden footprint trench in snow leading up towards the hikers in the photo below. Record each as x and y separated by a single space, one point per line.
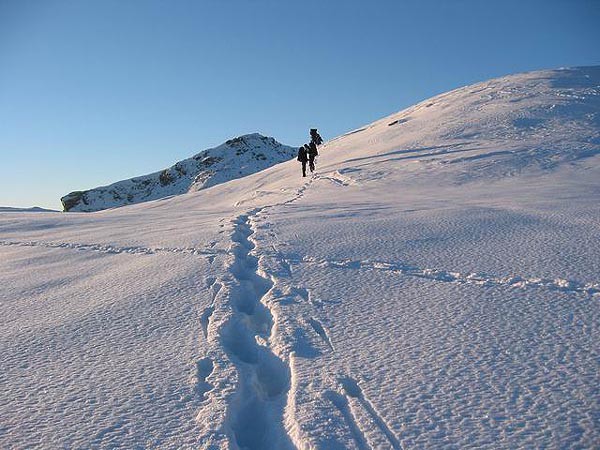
256 412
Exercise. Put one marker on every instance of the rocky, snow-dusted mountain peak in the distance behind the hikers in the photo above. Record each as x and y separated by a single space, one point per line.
235 158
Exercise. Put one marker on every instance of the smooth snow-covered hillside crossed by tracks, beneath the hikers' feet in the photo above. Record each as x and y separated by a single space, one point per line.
436 284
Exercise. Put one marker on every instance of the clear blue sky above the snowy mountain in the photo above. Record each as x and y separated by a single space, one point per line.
92 92
